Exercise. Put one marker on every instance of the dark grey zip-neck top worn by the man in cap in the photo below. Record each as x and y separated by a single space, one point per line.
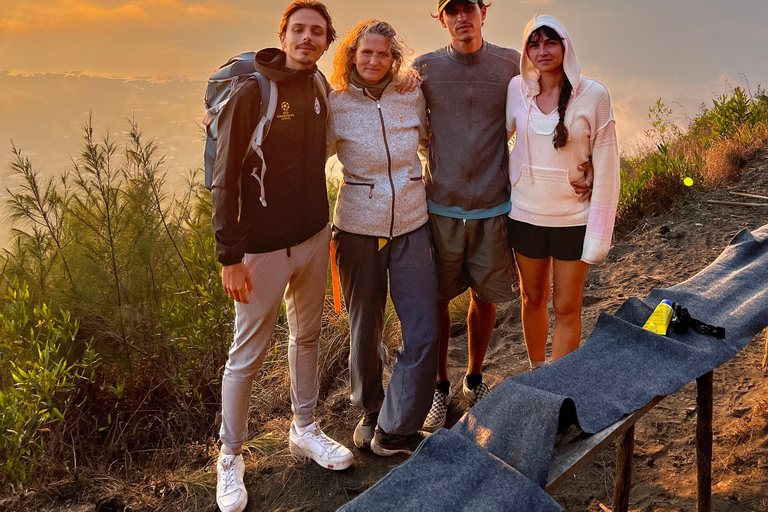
466 98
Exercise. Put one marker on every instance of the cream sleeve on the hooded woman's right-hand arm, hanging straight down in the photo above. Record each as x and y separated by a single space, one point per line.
605 194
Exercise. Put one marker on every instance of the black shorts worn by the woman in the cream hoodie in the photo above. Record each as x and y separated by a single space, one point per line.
565 244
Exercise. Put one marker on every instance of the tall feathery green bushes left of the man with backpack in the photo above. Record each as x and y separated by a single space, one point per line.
136 268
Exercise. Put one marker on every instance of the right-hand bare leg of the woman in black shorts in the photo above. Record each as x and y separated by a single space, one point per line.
569 279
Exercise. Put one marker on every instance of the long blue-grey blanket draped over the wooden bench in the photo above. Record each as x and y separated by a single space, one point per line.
619 369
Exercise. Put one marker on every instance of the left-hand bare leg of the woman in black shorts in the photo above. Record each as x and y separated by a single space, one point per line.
534 289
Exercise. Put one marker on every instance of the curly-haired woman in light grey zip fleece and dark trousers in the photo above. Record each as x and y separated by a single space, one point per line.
381 236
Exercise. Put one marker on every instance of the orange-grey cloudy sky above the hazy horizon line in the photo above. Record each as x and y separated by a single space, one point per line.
684 51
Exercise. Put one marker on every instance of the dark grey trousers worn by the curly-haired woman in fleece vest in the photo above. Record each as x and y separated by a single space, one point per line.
408 261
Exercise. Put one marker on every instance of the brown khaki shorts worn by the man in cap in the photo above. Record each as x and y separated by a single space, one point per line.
474 254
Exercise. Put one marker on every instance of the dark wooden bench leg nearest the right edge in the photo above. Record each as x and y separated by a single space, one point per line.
704 442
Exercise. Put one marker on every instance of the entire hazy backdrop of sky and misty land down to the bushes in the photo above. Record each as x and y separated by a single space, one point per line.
61 59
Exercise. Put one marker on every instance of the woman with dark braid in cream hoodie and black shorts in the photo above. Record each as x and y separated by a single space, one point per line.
560 119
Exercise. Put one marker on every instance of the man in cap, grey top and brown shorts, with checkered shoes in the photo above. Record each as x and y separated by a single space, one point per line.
465 85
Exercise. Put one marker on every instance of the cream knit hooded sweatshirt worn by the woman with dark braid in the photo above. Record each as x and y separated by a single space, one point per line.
541 175
